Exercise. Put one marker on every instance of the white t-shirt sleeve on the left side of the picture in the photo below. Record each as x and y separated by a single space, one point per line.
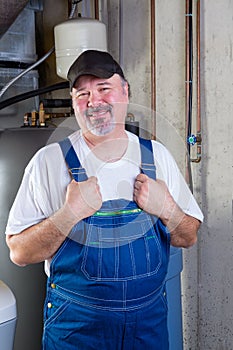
42 190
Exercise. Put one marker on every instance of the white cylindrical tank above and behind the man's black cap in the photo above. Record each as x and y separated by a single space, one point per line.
75 36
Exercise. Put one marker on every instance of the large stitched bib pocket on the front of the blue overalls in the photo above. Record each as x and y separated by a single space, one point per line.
121 248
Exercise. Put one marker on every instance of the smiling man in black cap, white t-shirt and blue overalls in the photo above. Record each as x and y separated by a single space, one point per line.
93 209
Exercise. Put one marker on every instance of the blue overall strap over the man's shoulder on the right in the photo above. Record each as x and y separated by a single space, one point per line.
147 158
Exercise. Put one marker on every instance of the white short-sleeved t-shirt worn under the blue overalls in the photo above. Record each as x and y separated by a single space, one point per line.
43 188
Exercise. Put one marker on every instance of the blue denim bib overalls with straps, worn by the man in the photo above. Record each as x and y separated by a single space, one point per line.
106 288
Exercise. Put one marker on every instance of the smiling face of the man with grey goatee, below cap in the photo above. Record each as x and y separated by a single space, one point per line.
100 105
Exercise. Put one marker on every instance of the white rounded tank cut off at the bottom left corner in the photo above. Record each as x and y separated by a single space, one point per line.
8 315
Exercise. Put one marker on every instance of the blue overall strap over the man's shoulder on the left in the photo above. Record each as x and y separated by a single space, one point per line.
77 171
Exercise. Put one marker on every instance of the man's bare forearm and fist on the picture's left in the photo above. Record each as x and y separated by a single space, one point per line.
41 241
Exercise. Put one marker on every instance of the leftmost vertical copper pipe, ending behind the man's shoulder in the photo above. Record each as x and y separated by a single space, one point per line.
153 73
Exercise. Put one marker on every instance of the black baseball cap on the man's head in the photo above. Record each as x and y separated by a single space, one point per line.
92 62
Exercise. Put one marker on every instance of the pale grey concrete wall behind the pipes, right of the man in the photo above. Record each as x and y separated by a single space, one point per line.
207 277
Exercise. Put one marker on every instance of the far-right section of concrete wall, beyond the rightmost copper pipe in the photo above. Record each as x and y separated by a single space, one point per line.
215 245
